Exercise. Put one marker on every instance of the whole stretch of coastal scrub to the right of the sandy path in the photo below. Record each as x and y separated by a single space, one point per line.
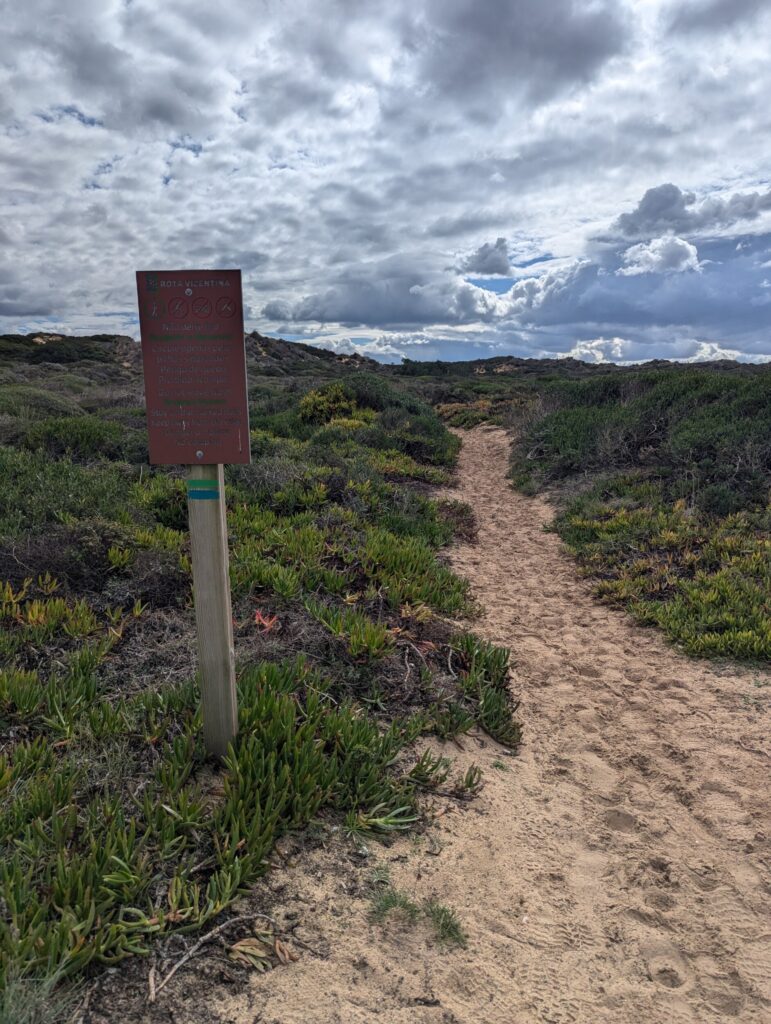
661 477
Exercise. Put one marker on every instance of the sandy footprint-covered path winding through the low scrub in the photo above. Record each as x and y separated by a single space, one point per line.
619 871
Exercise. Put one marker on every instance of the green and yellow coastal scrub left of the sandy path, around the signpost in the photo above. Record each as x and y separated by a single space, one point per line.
114 829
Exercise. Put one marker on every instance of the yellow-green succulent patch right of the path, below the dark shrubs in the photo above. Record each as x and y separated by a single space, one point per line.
704 580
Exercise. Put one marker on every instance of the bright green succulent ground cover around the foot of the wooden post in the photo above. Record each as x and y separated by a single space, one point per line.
93 875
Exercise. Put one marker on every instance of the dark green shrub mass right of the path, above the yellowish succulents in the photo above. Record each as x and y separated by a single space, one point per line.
698 429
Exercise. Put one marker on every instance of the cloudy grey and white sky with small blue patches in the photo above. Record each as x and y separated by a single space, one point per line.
431 179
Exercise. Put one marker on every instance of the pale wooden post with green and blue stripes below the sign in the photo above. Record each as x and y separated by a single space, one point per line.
206 508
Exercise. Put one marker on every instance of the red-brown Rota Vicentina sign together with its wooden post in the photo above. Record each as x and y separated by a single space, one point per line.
192 325
